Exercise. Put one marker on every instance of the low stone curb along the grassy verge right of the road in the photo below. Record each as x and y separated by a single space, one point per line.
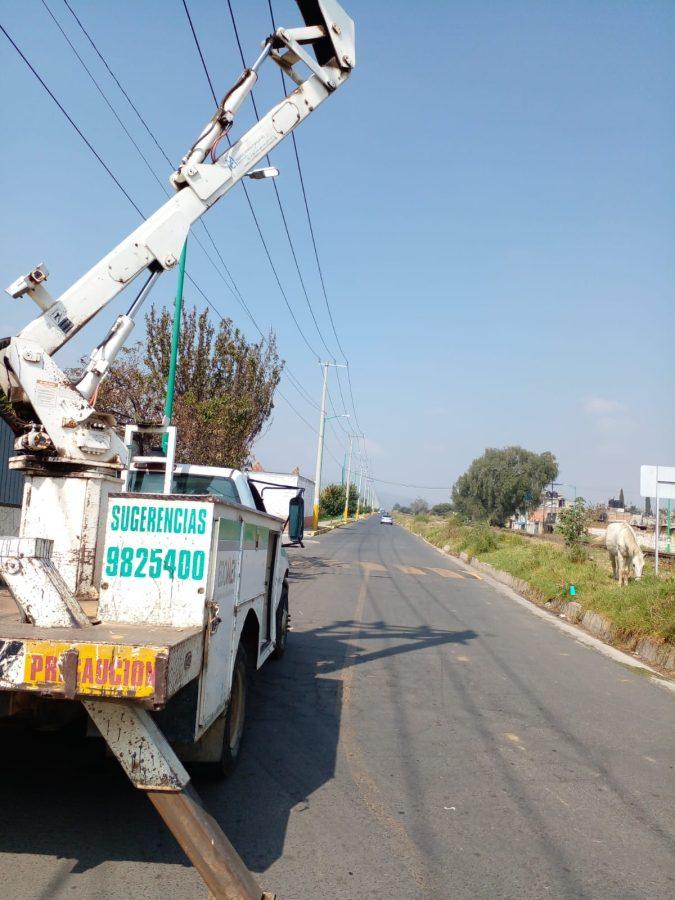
647 650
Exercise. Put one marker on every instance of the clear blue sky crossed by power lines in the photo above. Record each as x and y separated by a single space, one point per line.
493 195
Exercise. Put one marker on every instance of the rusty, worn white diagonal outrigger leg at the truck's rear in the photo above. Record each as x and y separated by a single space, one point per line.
130 731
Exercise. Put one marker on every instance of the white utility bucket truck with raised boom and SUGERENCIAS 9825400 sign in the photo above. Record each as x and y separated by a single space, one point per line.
139 587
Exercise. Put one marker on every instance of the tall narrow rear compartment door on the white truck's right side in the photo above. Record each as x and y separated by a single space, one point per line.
222 590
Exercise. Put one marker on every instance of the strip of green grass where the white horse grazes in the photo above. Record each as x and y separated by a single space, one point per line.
644 608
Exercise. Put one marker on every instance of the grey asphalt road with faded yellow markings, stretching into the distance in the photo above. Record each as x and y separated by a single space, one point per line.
425 736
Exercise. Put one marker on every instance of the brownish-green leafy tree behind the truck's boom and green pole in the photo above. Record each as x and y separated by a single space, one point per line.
224 386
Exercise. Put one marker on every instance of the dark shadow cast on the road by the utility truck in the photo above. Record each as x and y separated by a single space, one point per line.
61 799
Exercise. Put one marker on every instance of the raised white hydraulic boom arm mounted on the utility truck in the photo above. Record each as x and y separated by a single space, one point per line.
59 419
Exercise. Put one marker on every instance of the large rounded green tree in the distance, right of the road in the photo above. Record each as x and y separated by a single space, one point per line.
502 481
